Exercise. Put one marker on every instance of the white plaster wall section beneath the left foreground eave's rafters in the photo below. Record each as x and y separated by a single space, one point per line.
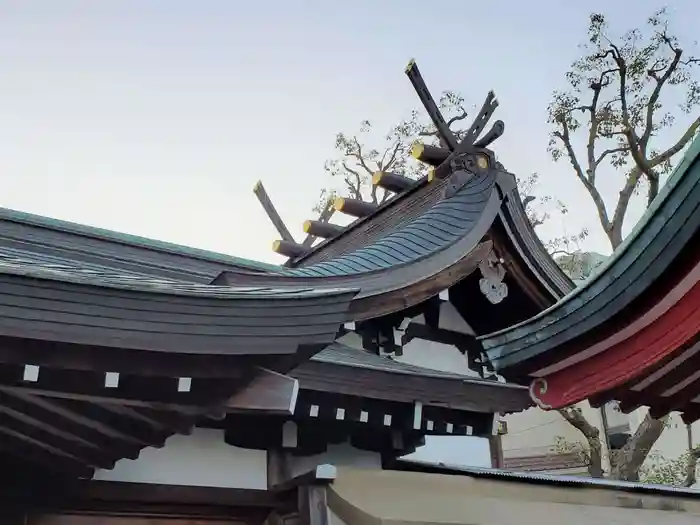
200 459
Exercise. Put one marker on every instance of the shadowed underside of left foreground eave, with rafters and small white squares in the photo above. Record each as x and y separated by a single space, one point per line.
69 423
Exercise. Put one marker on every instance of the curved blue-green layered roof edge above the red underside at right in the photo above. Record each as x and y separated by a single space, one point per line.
649 261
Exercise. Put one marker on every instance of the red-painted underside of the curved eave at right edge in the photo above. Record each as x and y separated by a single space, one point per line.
652 361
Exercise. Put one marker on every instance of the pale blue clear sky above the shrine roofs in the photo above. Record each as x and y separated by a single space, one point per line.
157 117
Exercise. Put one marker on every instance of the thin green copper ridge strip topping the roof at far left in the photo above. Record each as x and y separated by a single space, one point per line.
132 240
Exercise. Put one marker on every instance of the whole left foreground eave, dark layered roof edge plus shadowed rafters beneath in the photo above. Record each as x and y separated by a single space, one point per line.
95 367
